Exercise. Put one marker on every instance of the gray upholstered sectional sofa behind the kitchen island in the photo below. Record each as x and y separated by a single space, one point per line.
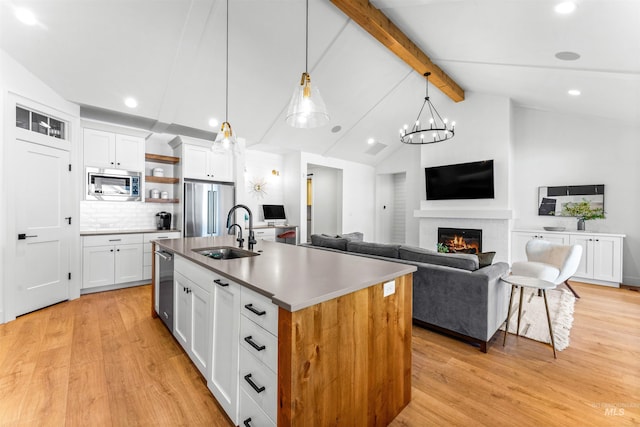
452 293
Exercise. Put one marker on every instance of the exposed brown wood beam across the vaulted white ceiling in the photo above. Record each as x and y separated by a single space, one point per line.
386 32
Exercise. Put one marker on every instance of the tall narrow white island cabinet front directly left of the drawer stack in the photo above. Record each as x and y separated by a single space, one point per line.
223 380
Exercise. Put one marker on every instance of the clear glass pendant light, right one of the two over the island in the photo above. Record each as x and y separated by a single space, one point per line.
306 108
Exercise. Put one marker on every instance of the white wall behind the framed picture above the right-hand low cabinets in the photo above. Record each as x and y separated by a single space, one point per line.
560 149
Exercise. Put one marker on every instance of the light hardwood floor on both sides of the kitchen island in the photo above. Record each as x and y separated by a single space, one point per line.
101 360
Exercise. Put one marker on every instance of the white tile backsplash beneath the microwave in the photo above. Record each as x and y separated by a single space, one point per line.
100 216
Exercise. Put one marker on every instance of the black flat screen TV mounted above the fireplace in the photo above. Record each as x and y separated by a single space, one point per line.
462 181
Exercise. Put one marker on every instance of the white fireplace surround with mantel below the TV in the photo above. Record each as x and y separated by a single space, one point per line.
495 225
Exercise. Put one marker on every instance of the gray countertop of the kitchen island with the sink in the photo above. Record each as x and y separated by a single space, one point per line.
294 277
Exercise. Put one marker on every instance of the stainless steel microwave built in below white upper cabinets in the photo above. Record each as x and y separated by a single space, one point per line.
112 184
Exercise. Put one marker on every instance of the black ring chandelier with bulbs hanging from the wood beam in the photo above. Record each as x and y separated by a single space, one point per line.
435 128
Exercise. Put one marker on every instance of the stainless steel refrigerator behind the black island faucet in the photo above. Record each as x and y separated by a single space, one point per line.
206 206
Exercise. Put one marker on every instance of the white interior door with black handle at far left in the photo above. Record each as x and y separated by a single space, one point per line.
42 202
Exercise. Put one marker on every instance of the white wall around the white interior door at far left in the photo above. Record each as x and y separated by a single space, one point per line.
15 79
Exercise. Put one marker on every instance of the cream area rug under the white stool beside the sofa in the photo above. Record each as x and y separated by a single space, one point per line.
533 323
